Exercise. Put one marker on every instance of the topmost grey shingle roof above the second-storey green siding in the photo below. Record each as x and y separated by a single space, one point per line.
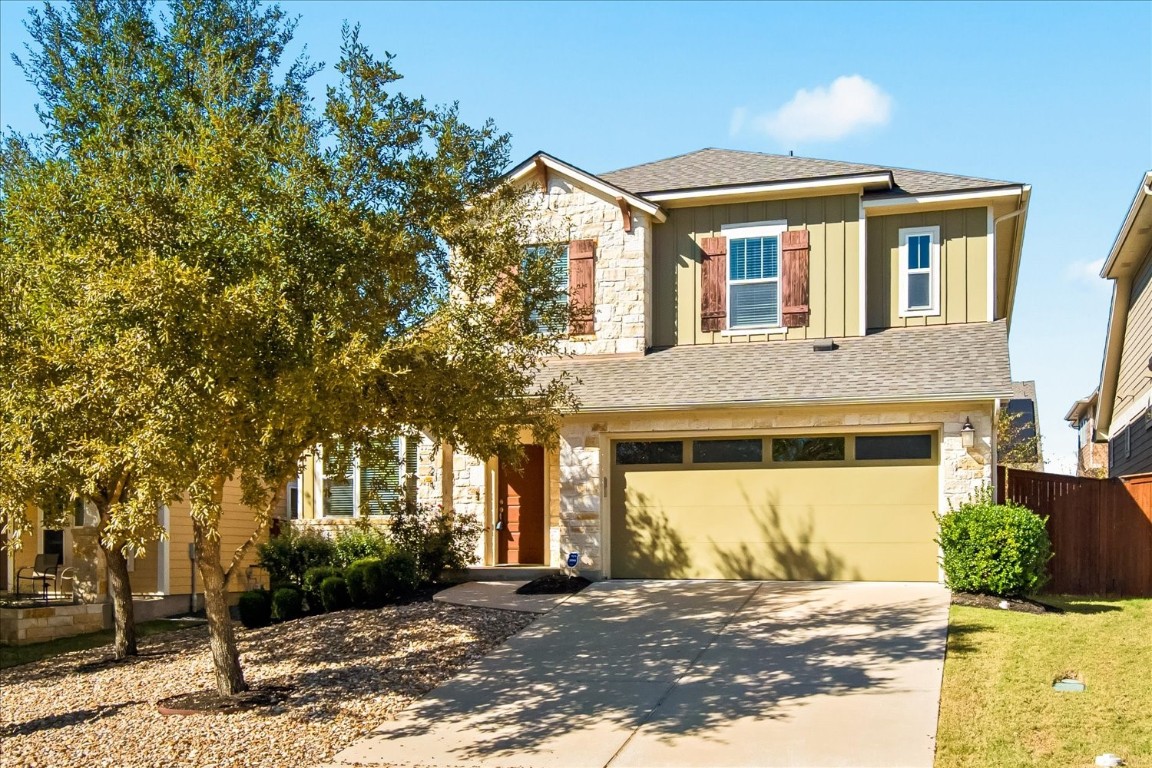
714 168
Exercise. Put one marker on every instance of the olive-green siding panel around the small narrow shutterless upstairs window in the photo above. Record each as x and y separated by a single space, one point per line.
964 268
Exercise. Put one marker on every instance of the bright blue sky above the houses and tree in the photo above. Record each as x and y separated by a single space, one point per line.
1055 95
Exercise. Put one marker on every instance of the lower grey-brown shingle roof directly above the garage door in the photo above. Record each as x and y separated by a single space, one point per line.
893 366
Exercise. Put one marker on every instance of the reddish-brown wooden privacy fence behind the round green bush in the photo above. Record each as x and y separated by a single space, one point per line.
1101 530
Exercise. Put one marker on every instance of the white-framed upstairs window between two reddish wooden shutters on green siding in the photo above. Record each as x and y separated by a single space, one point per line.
754 276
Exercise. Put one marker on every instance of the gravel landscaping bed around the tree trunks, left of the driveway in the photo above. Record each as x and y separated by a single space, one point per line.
346 673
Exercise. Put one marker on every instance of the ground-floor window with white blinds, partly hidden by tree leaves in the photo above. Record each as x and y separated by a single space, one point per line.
373 489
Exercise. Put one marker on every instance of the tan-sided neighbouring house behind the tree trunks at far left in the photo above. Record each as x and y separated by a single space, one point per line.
162 577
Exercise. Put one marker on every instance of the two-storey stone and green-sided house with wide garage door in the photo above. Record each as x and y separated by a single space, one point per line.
791 366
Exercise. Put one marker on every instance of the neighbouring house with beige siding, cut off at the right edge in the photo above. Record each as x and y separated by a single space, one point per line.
1124 415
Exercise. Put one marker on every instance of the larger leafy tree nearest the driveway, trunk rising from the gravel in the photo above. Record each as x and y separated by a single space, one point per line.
292 277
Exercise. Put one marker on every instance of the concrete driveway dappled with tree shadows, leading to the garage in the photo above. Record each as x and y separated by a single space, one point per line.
668 674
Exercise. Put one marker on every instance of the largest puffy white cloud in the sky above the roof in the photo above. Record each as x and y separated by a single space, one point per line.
851 104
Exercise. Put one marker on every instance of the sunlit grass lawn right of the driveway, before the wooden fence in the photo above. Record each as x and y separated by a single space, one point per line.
998 708
